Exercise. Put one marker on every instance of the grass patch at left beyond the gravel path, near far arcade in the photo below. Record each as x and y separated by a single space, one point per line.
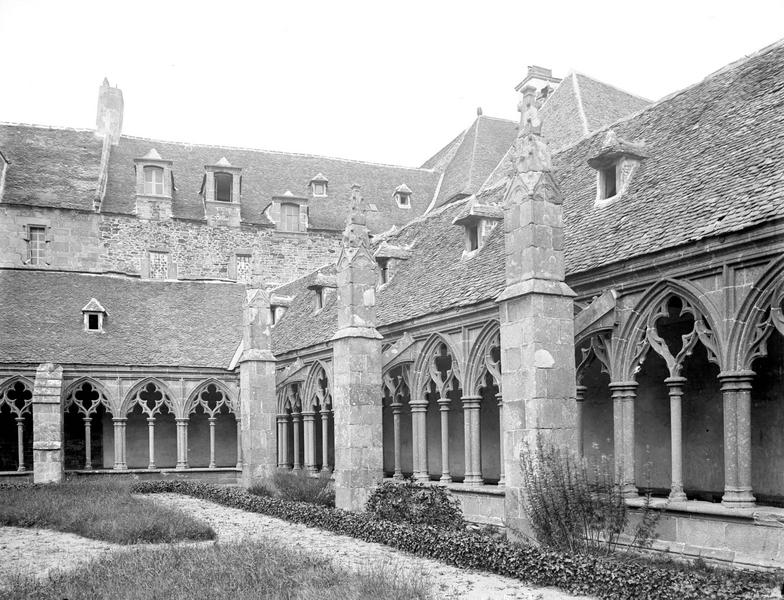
102 510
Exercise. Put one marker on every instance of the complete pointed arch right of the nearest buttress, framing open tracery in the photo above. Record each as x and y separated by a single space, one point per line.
630 346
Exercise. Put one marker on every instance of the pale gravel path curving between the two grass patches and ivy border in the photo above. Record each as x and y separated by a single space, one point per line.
37 551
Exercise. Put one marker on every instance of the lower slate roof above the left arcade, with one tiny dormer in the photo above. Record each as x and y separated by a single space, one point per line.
188 324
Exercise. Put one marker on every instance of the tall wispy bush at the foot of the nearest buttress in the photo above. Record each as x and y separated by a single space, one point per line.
577 507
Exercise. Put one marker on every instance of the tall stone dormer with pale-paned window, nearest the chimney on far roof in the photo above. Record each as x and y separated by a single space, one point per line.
154 186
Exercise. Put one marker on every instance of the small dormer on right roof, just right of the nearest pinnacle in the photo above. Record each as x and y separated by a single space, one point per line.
615 165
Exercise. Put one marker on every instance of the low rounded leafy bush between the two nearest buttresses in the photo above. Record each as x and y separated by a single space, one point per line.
416 503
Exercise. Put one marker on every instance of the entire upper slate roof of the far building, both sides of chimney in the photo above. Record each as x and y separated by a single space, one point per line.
60 168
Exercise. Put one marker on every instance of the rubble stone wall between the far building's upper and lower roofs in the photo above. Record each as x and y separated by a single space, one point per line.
100 242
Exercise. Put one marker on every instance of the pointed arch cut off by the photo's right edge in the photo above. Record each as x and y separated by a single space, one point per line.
757 316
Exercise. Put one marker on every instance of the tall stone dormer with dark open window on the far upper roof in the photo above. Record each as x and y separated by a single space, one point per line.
221 190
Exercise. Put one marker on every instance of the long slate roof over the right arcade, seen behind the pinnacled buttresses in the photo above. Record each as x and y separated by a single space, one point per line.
714 167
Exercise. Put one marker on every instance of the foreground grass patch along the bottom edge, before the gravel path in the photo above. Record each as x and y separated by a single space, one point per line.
231 572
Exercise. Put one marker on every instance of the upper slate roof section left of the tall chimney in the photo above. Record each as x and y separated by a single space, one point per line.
49 166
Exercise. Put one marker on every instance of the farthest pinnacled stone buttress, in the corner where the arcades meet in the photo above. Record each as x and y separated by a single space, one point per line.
258 405
